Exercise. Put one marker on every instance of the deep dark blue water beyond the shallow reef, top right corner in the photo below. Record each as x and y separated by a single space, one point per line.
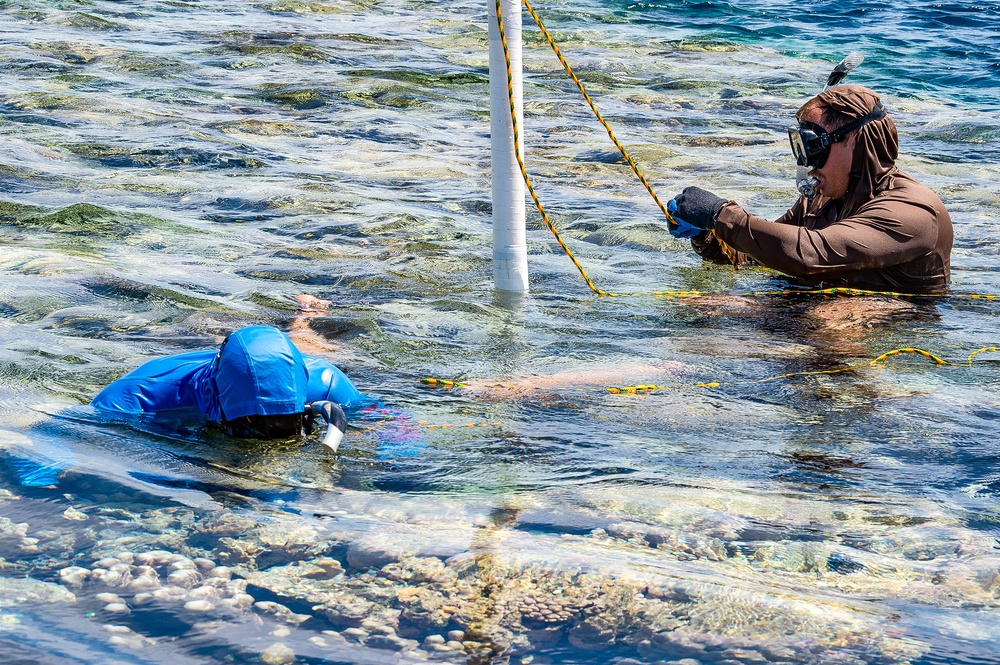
939 49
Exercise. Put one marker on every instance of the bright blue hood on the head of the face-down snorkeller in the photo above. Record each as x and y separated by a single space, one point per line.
259 372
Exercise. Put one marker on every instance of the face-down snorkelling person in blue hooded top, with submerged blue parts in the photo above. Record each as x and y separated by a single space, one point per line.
257 384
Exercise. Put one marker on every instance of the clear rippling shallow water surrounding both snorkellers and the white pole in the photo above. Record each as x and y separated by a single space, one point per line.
171 171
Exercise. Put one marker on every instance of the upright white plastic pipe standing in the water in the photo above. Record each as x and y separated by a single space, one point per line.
510 250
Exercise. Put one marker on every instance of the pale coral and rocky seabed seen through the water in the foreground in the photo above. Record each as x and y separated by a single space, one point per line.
382 581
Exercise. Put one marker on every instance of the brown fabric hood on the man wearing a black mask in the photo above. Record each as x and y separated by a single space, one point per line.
875 150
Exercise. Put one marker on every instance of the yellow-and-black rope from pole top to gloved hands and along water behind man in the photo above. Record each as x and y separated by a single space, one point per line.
837 291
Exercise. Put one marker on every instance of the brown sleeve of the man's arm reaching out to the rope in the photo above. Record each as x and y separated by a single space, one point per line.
884 232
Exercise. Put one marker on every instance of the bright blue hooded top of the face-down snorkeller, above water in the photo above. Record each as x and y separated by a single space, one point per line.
256 371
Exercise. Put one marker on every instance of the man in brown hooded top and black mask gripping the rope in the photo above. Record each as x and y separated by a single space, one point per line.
870 227
